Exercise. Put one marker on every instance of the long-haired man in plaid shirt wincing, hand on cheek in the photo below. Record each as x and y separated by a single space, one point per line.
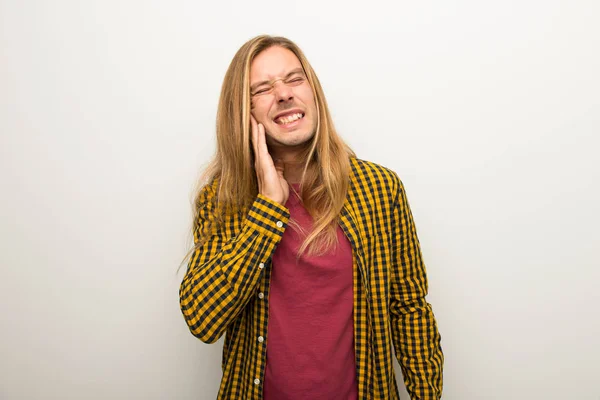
305 256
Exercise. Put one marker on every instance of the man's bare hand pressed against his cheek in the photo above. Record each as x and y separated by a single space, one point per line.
269 174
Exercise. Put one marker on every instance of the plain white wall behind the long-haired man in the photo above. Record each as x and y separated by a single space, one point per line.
489 112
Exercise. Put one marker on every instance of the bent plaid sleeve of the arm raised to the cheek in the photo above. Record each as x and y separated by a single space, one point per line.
225 269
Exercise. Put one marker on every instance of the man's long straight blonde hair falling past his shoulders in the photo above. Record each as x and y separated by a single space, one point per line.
324 182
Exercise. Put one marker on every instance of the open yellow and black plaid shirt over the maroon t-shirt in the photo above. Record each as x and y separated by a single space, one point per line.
226 289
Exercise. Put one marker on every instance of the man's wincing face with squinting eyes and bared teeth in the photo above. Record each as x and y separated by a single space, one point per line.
282 99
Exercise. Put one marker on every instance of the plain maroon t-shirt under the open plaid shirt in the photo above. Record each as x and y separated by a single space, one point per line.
310 337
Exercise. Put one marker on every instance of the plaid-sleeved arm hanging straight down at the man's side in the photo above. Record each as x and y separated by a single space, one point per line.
414 329
